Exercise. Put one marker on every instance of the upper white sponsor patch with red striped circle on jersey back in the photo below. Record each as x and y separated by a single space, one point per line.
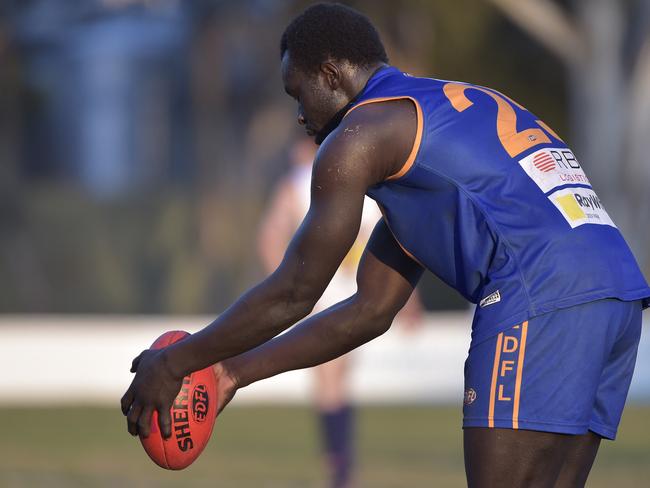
553 167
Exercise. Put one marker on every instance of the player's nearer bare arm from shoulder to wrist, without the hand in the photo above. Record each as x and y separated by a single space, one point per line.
342 174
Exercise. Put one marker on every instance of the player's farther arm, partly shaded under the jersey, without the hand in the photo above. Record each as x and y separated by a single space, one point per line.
385 280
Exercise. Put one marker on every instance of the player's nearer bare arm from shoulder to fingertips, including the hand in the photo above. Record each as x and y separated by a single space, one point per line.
371 144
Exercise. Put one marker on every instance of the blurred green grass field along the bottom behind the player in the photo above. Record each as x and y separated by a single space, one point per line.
271 447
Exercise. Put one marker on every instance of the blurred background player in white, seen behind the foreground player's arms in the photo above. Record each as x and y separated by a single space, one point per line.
289 205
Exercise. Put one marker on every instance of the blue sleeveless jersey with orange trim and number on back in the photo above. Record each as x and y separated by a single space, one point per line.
494 203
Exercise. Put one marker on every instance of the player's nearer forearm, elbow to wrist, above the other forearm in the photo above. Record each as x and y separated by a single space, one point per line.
259 315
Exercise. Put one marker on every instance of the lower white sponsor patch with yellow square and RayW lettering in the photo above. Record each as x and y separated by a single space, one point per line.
580 206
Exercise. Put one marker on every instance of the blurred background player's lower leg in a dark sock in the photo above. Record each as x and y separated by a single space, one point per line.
336 419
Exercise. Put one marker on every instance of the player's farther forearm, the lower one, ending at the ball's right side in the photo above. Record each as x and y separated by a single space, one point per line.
319 339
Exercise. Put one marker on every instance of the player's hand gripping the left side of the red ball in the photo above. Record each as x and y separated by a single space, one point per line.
153 389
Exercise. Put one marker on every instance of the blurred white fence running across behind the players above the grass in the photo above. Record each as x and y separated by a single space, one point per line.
72 360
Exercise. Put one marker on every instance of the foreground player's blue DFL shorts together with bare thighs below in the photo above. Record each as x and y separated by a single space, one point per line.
547 376
